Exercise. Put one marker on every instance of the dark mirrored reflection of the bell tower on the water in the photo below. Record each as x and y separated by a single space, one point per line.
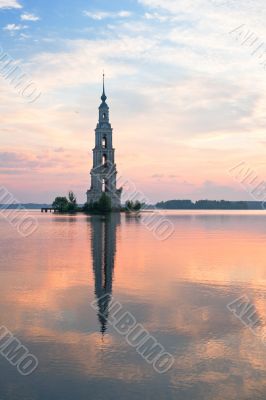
103 253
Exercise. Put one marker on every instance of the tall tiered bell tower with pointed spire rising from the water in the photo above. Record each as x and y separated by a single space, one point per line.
103 173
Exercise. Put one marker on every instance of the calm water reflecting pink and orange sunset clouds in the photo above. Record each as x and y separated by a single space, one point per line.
178 289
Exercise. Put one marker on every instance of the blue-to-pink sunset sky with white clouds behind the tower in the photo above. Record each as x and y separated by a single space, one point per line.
185 82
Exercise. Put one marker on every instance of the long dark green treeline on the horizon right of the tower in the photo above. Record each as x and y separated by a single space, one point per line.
209 205
